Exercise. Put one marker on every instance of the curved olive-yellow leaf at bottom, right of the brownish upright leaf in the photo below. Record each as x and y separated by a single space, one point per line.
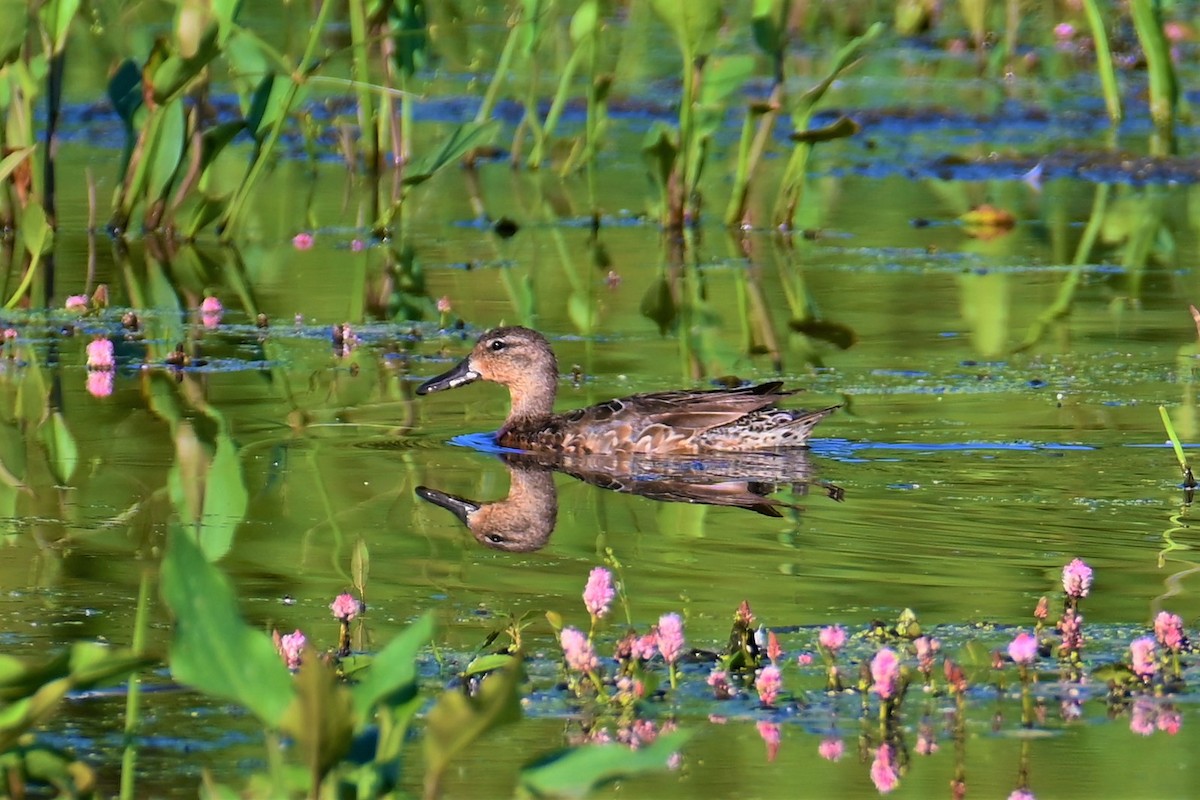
458 720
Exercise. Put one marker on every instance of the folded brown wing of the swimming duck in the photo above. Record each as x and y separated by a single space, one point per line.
667 422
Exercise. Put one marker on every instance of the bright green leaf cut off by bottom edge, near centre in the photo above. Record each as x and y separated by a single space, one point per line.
578 772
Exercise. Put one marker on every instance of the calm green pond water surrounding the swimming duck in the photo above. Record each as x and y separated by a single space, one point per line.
985 443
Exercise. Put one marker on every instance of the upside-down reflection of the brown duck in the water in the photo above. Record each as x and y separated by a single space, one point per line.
524 521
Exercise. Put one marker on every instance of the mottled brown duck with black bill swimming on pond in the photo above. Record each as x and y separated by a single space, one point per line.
669 423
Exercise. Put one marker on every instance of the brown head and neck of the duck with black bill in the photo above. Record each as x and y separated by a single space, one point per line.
518 358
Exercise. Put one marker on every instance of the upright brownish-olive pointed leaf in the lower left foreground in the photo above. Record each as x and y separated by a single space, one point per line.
320 719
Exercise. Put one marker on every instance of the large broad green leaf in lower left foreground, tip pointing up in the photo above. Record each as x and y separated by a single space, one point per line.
213 649
